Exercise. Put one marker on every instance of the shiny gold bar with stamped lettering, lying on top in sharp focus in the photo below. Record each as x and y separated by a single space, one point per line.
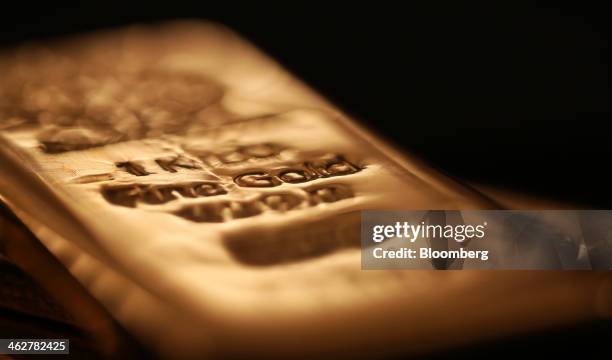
210 202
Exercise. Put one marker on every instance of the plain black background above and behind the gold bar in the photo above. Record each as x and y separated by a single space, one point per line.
513 96
